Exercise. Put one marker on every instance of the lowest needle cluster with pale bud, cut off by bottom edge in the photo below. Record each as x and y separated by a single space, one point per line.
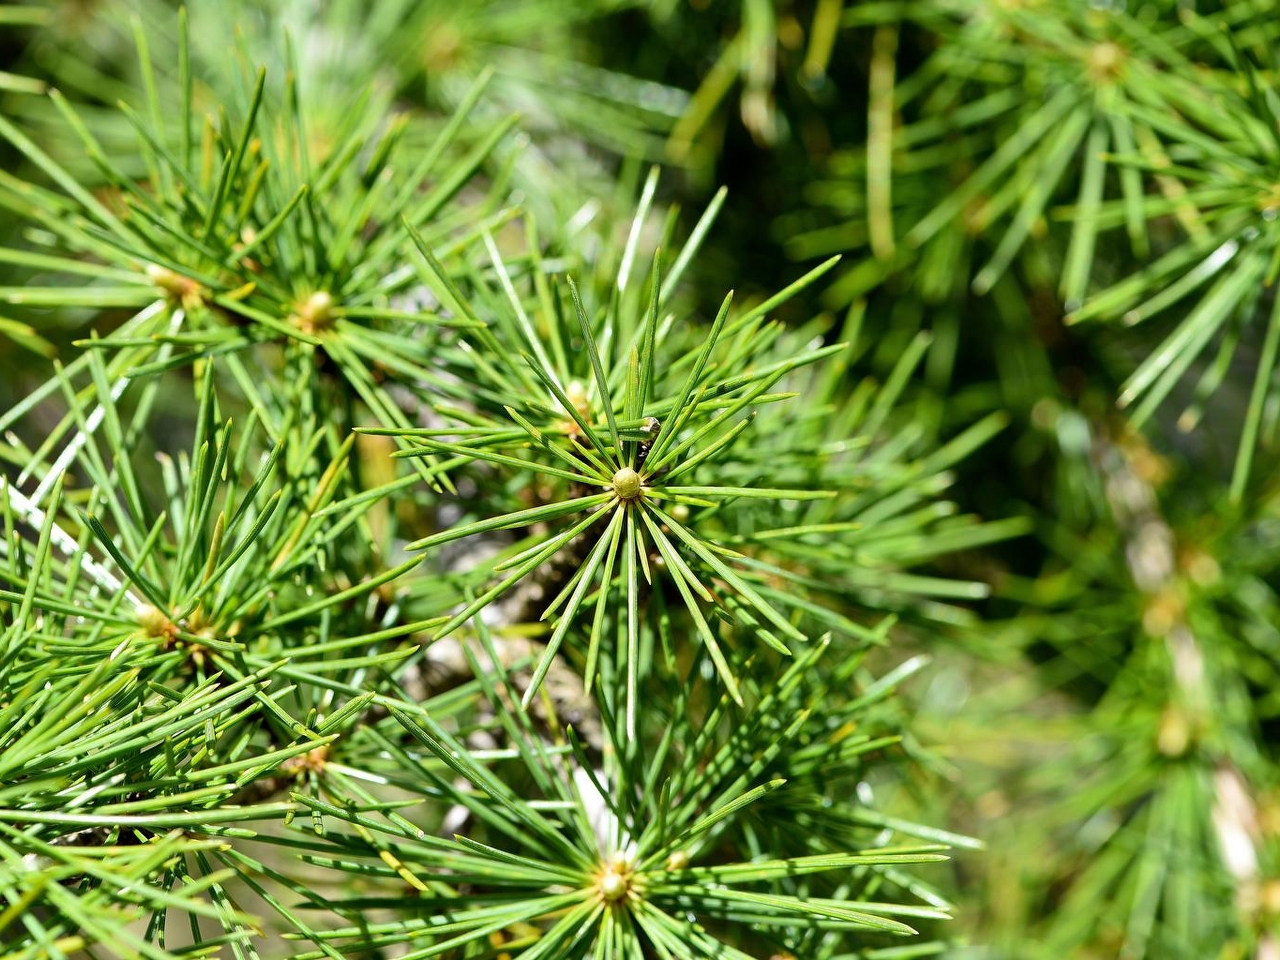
632 853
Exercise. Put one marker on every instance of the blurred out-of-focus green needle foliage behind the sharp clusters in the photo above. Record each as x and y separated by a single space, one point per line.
1067 209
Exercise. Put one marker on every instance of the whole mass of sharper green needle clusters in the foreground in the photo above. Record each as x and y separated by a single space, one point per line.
276 665
